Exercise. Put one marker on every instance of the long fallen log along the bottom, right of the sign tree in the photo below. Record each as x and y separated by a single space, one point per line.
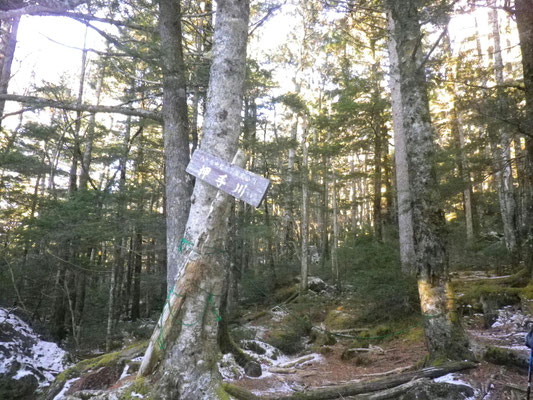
357 388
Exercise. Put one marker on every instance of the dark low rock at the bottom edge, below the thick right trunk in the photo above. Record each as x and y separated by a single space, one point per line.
429 390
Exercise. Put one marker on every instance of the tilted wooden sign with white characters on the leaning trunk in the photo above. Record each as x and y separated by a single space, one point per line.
242 184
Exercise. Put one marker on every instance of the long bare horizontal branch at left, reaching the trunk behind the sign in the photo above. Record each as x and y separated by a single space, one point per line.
40 102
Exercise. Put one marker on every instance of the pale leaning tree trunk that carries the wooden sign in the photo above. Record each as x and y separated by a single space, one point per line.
187 354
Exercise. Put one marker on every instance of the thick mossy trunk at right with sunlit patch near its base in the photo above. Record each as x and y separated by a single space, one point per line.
443 336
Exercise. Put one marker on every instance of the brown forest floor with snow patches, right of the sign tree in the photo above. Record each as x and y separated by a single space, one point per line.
328 365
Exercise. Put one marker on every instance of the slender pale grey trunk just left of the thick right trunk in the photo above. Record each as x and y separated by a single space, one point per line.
405 215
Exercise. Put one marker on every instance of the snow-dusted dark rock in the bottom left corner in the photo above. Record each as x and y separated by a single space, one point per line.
22 352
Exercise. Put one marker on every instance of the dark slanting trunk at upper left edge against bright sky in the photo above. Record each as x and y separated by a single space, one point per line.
8 43
